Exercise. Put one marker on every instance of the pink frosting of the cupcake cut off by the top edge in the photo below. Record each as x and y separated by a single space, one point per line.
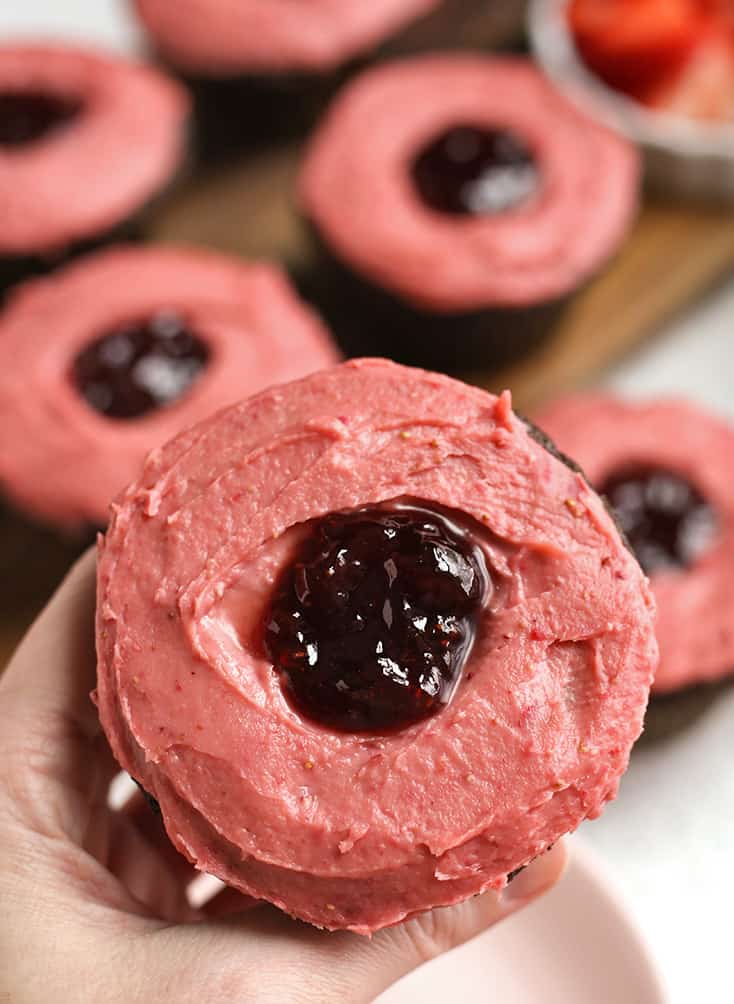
235 37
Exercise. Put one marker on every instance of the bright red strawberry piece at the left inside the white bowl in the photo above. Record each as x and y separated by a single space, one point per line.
633 45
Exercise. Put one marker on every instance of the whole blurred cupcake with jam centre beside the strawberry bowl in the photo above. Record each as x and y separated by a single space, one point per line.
457 203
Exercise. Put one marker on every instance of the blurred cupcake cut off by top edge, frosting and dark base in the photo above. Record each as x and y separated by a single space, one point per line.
268 70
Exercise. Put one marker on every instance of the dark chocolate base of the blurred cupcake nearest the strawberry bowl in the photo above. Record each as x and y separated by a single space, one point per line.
367 320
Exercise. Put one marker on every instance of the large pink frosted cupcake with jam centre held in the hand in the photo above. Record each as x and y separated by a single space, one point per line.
370 646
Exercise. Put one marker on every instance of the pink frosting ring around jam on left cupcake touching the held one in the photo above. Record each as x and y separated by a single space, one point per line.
64 461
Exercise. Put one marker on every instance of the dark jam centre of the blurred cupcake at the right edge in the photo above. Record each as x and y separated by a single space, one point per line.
668 523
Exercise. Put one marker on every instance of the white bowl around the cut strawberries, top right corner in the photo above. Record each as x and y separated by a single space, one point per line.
683 157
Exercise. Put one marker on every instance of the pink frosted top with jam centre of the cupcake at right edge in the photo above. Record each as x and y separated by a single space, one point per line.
665 468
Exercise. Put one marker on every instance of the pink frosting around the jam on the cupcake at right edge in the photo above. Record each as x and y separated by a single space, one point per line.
695 628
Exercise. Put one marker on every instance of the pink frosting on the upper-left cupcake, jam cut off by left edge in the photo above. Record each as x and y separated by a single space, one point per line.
101 169
